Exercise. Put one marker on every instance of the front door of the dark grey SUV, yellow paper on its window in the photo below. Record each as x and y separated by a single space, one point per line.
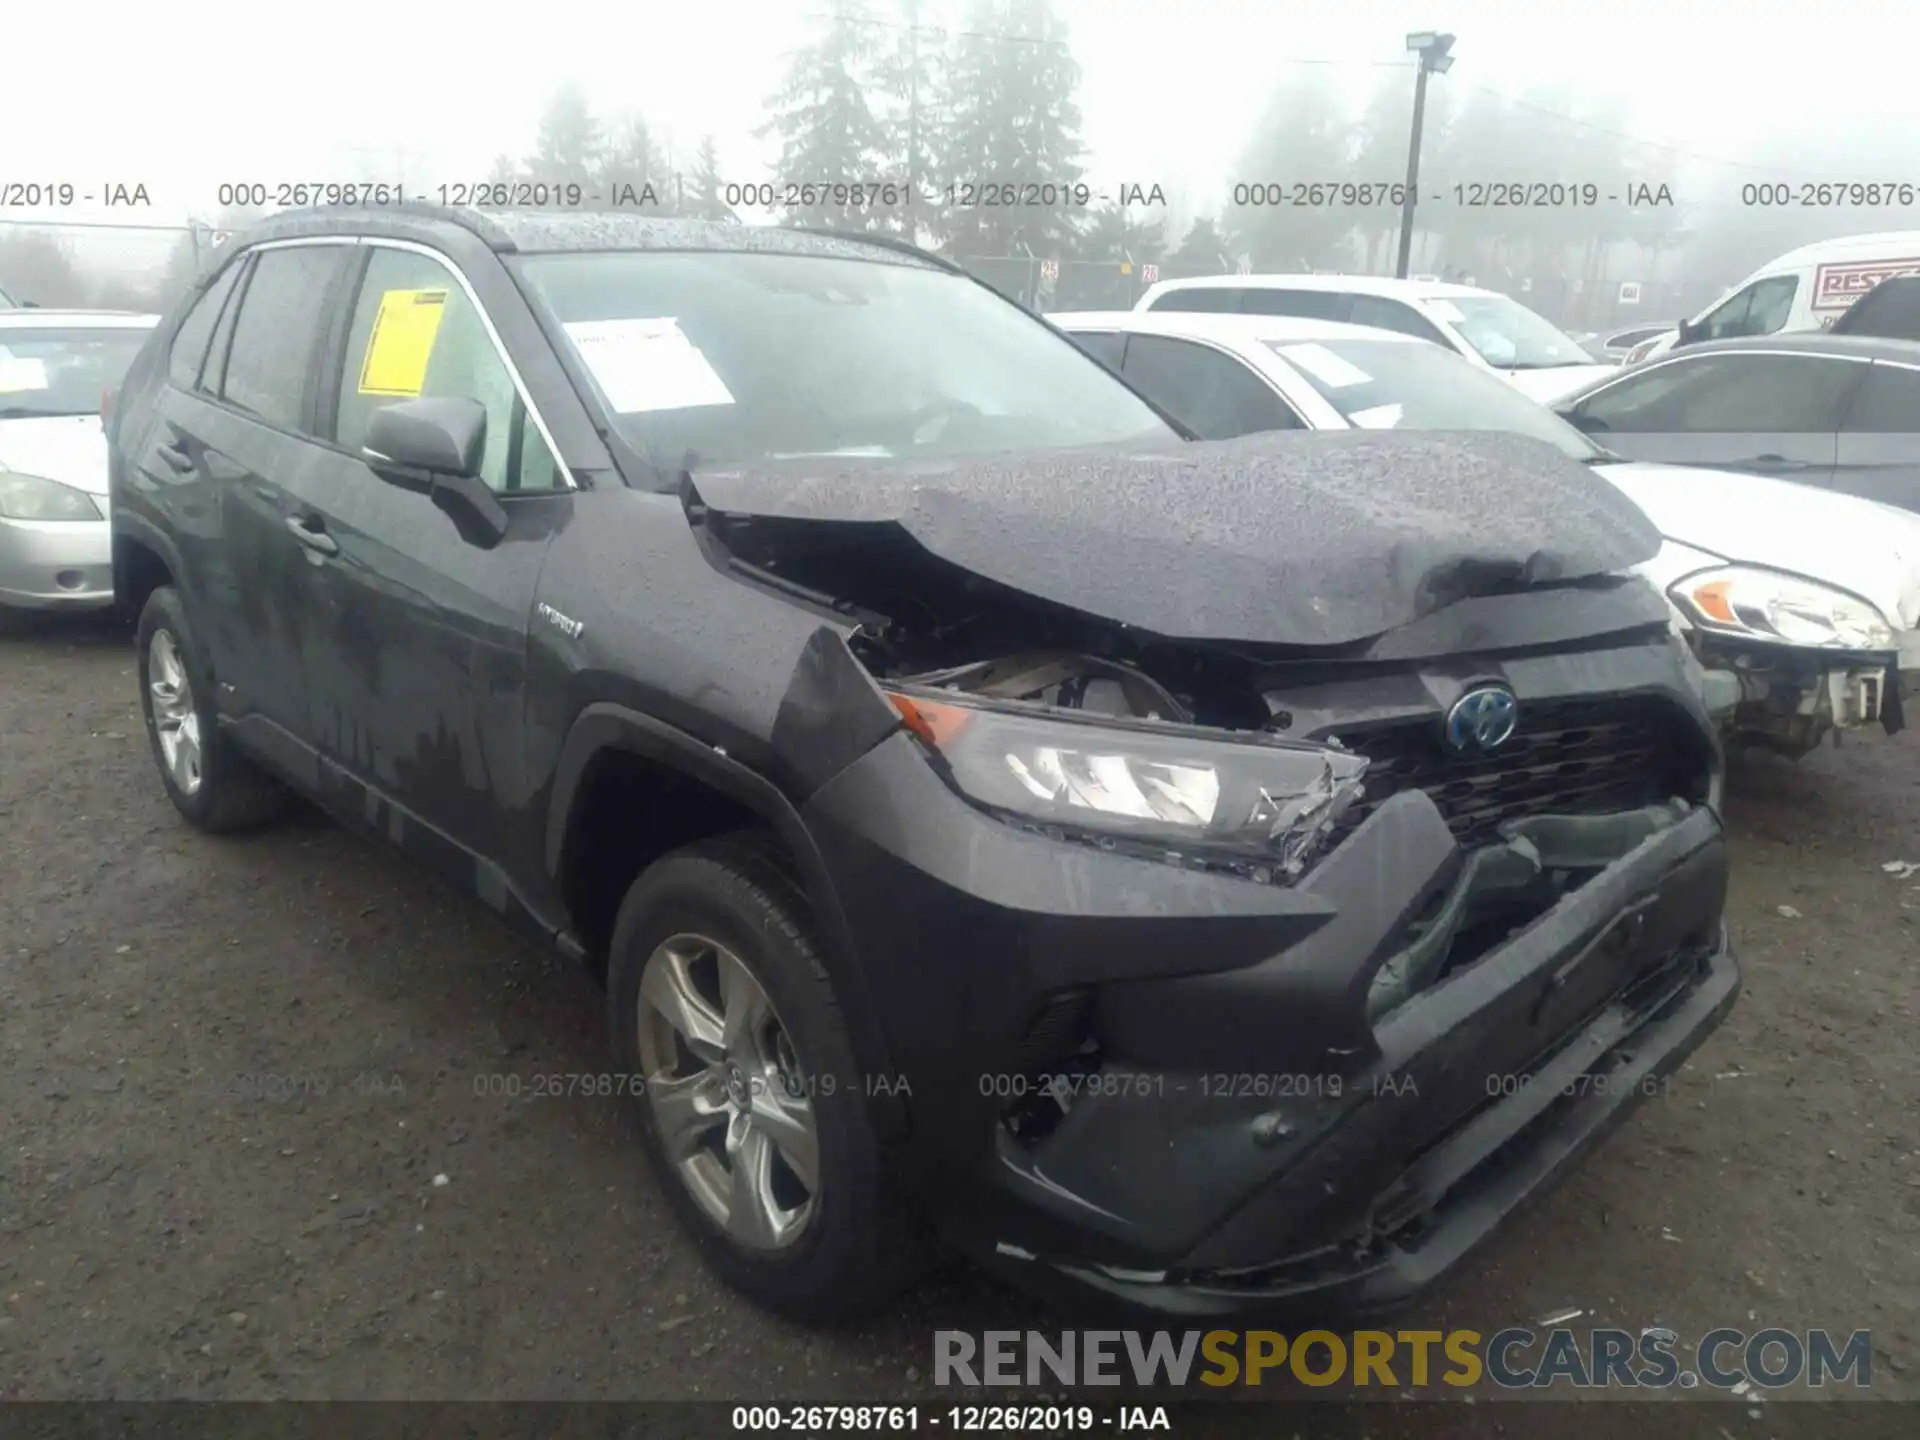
420 669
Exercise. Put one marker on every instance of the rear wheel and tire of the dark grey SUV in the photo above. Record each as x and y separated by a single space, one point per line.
214 786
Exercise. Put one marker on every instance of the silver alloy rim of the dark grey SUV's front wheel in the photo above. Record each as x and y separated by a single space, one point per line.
729 1095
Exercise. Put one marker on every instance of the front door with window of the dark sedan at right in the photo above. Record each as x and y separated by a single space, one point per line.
1765 412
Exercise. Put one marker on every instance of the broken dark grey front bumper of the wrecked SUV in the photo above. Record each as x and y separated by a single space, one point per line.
1247 1124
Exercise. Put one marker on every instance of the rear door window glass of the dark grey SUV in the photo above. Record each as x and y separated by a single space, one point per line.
270 360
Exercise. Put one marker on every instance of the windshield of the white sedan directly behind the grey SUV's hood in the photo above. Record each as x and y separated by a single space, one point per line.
1403 385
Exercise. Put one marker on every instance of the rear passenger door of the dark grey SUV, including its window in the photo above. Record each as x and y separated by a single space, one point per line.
231 450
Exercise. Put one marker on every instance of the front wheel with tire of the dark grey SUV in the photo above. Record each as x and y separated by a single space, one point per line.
750 1099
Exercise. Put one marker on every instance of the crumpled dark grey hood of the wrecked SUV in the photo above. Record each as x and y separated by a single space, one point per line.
1276 539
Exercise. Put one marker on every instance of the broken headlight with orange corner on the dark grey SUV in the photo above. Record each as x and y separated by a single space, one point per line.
1255 804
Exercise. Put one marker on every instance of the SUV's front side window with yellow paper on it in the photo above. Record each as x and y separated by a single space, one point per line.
418 335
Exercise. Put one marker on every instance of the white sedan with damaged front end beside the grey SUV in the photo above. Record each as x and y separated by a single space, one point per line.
1802 606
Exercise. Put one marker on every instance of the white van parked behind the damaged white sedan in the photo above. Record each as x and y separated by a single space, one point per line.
1493 331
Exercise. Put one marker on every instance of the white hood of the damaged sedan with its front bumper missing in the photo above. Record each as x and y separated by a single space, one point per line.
1858 544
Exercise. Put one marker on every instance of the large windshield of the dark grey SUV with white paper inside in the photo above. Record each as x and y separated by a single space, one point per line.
759 356
